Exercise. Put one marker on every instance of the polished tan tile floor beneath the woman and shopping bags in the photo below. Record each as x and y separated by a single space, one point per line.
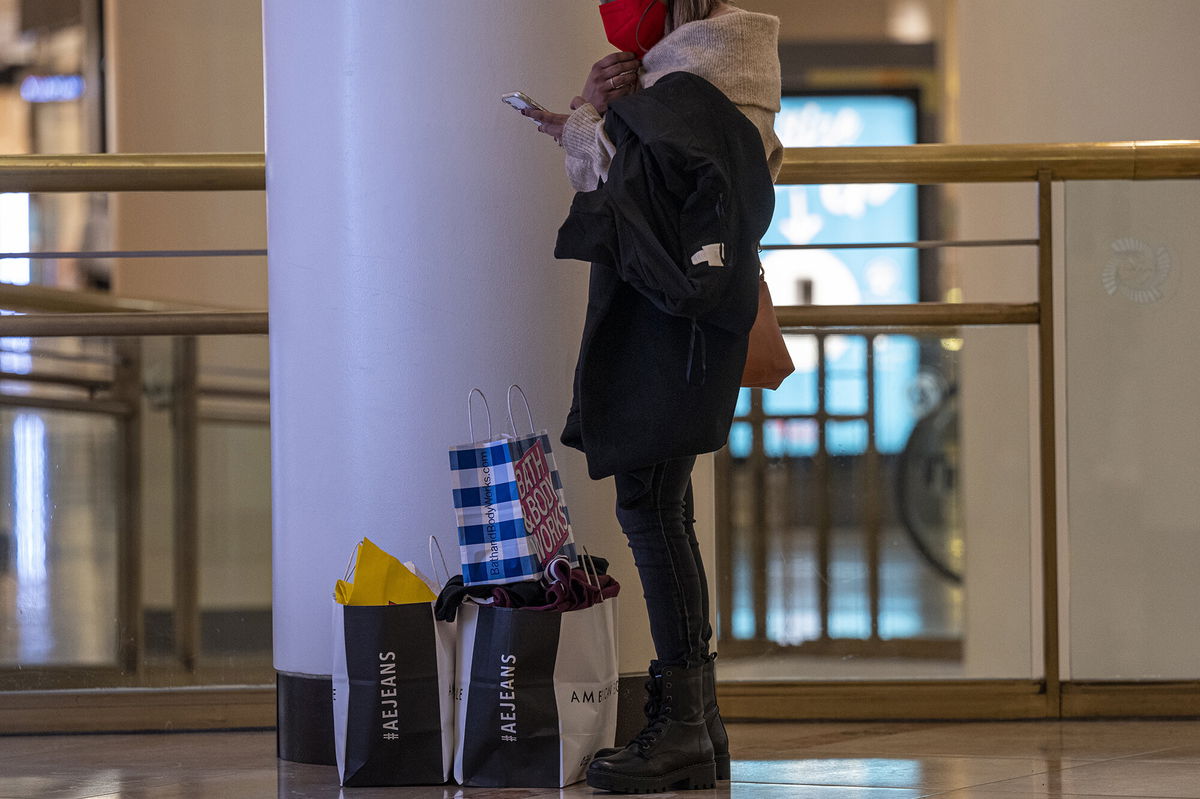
821 761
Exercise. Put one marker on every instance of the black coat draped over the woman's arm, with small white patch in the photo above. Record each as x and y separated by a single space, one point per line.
667 329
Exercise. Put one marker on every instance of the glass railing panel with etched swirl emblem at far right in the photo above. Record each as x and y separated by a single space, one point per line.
1133 436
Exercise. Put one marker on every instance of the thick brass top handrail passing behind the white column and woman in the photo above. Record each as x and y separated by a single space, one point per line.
921 164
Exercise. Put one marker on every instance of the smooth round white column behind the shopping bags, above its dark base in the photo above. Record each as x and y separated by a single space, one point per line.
412 221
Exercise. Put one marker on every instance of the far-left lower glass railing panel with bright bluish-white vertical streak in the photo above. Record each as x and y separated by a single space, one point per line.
58 539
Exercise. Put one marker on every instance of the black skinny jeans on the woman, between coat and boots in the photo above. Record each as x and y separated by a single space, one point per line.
656 510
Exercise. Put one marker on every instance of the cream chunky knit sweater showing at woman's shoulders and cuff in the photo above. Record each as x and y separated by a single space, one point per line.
737 52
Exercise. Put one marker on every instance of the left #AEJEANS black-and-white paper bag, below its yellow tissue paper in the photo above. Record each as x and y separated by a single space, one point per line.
393 695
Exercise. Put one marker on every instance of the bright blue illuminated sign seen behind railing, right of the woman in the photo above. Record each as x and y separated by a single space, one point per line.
837 214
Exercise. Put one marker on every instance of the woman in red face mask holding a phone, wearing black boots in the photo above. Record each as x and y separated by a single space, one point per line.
685 166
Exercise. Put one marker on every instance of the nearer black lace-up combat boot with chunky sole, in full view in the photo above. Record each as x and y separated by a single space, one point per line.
674 752
